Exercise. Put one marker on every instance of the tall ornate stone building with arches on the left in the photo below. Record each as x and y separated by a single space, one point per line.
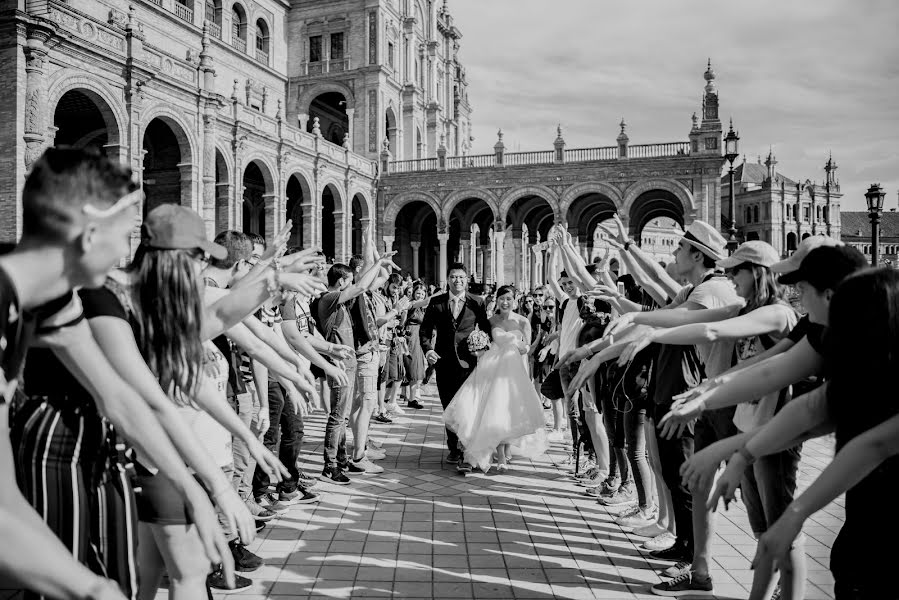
249 111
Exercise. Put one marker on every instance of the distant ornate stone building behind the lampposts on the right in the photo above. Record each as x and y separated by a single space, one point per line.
776 209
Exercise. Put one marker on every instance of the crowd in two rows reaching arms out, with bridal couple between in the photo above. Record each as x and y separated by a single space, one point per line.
153 415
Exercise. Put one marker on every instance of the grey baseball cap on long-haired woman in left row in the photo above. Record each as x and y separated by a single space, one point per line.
175 227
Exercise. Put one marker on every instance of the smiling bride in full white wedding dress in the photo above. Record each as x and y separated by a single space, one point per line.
497 409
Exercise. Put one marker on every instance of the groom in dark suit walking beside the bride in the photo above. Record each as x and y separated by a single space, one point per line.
453 317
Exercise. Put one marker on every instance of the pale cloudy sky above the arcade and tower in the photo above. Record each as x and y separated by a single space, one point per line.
804 77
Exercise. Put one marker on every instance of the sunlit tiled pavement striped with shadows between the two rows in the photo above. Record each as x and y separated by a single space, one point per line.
422 531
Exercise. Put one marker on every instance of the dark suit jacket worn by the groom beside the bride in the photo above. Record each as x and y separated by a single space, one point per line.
452 334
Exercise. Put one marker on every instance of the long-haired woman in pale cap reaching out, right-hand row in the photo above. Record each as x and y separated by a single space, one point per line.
765 319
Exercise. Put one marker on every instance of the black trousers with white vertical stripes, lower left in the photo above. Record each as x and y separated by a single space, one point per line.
66 468
